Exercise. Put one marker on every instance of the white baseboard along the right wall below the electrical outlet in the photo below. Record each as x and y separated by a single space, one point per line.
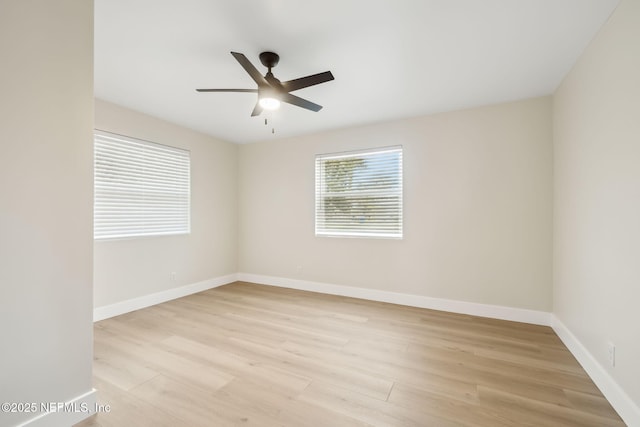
621 402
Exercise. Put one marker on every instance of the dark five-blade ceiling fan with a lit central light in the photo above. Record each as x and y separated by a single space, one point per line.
272 91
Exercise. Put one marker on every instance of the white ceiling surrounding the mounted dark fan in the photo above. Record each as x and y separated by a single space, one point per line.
390 59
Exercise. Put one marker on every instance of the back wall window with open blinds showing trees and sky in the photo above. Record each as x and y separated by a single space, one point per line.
359 194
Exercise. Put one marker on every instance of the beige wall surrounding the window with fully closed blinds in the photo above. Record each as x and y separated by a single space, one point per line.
130 268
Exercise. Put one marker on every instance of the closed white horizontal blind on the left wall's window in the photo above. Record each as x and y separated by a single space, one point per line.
141 188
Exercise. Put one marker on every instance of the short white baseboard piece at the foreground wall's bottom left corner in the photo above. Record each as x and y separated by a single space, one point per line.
65 414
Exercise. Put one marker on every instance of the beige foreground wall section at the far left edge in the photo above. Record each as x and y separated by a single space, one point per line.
46 120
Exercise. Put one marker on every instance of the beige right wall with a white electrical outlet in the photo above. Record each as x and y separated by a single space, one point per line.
597 197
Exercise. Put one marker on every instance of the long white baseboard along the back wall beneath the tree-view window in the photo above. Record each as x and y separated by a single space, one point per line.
475 309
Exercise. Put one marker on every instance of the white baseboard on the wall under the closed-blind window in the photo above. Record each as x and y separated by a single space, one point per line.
107 311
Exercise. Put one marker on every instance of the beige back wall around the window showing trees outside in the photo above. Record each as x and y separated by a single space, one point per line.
477 200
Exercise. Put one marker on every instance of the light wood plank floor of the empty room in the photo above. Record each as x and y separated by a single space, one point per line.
252 355
